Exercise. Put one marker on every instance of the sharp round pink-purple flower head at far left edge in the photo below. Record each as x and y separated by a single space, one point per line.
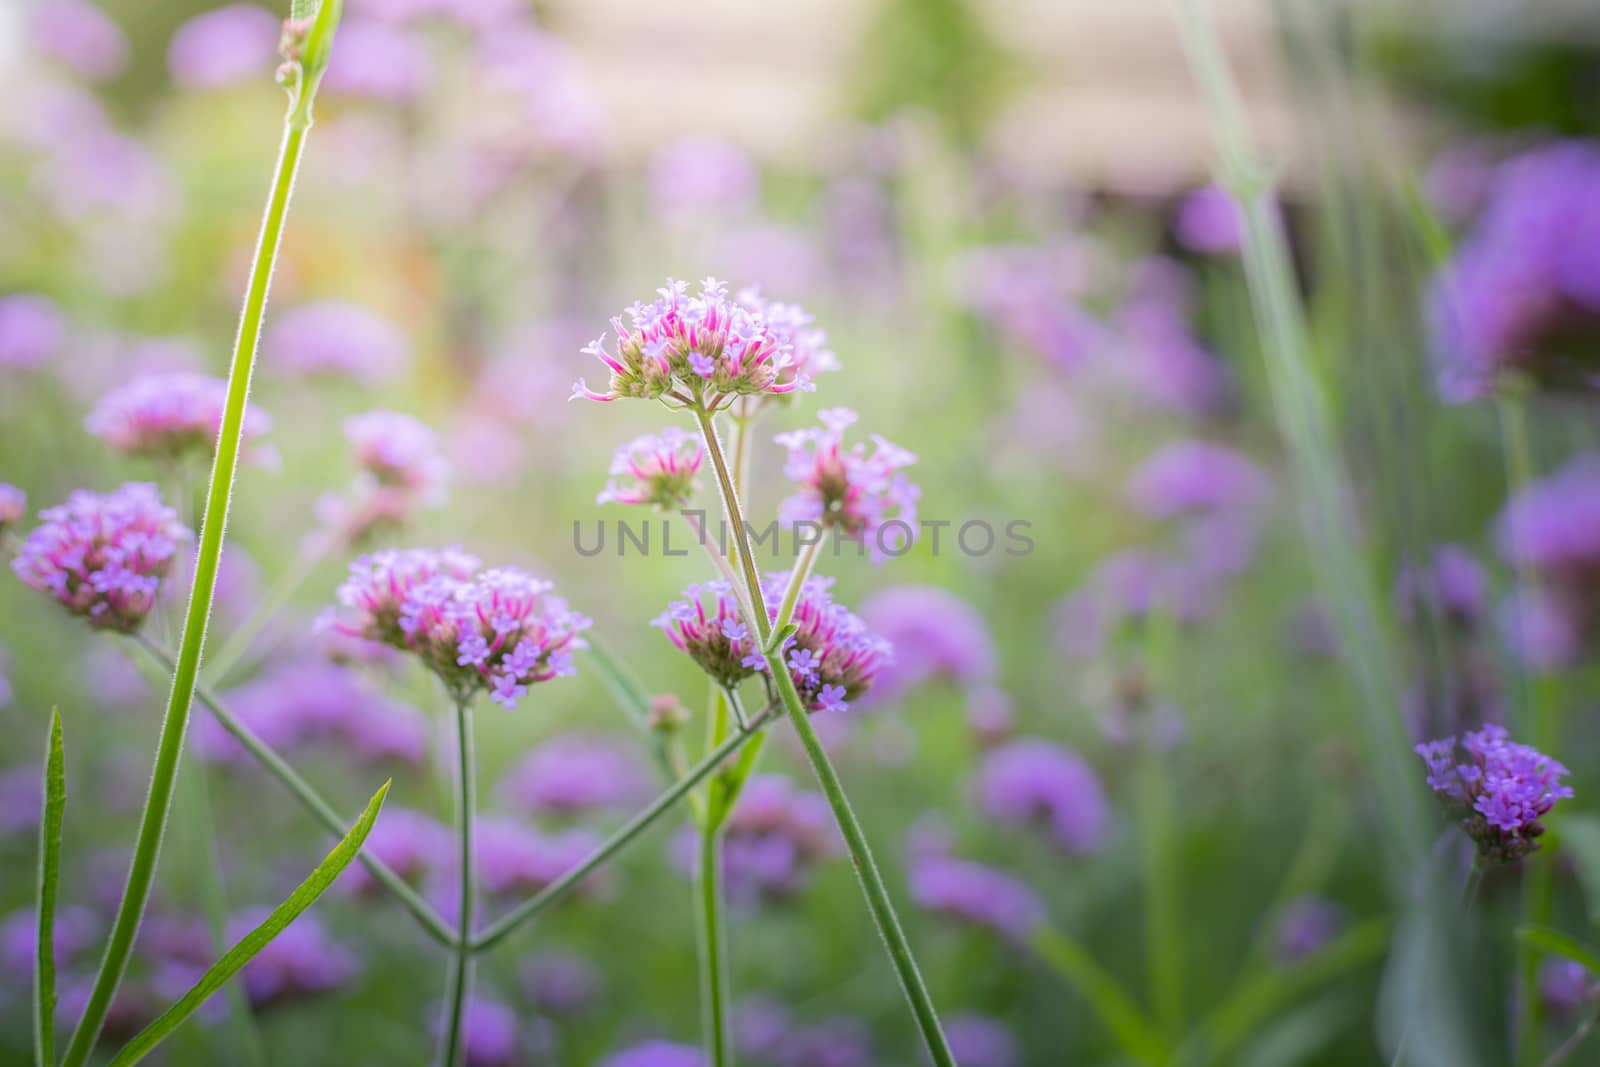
103 557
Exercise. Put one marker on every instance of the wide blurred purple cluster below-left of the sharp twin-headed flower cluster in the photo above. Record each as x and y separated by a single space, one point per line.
310 705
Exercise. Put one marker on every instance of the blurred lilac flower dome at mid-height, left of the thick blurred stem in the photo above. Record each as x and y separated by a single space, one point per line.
1198 479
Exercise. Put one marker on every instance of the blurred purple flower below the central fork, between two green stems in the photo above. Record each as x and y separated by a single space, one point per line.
774 841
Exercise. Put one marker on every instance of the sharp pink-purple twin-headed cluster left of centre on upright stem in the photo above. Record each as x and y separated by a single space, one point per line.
494 631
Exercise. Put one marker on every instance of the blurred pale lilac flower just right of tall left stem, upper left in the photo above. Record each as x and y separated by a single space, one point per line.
337 338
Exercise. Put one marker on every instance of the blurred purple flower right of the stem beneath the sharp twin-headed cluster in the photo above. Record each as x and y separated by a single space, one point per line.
577 773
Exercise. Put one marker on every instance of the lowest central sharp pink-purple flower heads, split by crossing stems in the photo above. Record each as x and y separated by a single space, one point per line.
833 657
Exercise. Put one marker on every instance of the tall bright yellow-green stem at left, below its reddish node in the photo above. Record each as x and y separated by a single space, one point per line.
158 805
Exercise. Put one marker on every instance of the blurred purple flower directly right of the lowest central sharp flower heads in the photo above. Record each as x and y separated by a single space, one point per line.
935 634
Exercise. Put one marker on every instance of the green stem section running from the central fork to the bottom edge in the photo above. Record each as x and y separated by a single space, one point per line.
866 869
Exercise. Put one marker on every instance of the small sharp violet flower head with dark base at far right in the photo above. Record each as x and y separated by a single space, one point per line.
1500 793
